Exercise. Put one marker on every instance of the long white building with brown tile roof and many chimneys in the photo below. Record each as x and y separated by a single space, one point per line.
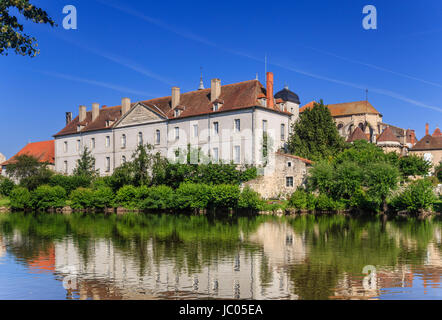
226 122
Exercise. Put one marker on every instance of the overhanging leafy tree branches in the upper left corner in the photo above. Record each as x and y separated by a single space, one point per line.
12 36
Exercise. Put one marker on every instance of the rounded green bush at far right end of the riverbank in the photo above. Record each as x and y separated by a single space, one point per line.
418 195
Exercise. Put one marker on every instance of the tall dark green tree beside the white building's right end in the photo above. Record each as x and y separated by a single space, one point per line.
314 136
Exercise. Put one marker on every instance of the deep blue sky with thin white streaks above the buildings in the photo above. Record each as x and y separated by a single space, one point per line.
140 49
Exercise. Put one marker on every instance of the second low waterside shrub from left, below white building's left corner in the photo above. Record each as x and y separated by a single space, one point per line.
45 197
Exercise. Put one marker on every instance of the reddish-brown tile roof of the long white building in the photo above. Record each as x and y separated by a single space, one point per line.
233 97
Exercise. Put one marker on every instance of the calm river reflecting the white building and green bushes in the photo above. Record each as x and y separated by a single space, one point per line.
139 256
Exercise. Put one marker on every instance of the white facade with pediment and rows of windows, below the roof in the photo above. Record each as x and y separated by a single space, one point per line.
234 135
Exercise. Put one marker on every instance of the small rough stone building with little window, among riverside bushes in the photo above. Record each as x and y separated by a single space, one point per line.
273 183
